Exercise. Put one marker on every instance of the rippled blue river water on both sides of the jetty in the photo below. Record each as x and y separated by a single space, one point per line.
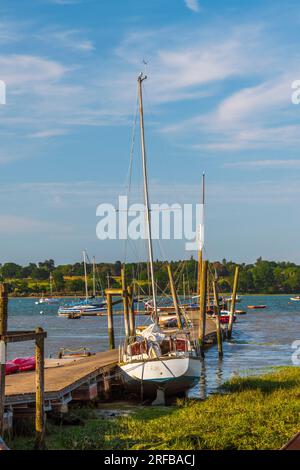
261 339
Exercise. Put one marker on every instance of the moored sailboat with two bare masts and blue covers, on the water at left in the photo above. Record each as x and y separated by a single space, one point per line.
89 306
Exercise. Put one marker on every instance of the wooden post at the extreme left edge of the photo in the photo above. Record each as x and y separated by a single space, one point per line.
3 331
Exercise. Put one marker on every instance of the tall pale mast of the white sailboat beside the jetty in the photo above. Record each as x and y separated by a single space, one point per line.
141 78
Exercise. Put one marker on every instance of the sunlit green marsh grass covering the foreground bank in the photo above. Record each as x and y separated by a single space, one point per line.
250 413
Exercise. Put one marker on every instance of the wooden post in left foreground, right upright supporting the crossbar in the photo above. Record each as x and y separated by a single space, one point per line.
39 400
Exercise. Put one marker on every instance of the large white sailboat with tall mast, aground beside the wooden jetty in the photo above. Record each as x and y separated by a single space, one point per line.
158 363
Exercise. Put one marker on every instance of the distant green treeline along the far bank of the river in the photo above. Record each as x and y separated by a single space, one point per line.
263 276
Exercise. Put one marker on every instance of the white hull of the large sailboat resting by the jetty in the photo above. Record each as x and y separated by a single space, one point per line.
172 375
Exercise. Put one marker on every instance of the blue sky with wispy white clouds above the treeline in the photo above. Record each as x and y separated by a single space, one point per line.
217 99
